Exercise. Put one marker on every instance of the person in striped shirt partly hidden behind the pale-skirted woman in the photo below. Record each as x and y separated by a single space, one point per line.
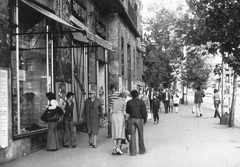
114 95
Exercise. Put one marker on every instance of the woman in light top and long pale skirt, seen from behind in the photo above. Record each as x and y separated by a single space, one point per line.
118 123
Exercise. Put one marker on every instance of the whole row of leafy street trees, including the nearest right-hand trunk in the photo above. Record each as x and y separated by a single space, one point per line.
207 27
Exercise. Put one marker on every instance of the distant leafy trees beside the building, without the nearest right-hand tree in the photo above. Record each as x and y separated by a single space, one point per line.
166 38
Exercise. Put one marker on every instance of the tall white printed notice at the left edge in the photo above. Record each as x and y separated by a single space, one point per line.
4 108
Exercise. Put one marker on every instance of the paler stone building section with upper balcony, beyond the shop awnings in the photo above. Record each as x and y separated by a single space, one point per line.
125 61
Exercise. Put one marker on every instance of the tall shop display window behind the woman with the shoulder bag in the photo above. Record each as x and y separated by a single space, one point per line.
32 70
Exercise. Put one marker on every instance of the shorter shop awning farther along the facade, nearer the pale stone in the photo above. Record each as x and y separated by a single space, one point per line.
91 36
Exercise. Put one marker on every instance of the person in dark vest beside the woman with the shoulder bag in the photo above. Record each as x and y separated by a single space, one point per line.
69 133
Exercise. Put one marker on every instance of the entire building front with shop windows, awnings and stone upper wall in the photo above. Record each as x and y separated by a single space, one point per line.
59 46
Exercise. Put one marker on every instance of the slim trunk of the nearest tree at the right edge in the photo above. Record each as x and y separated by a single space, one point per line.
233 104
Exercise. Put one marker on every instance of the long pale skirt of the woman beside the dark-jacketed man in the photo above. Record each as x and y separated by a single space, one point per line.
118 126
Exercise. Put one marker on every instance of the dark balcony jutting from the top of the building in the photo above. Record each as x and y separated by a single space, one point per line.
117 6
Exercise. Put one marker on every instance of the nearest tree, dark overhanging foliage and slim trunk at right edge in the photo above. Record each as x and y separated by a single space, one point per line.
218 23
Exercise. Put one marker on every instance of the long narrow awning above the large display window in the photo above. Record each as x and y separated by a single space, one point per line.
49 14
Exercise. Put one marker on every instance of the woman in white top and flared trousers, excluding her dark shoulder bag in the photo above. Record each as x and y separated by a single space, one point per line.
52 136
